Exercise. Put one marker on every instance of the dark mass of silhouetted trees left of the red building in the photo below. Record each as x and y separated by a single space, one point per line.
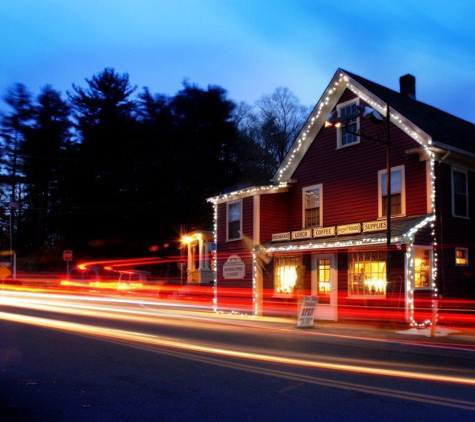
110 171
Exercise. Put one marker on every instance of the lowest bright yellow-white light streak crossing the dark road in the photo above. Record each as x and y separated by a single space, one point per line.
159 341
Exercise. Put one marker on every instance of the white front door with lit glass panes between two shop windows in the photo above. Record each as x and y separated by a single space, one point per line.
324 286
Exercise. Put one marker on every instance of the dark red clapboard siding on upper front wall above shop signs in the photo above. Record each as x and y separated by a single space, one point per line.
349 177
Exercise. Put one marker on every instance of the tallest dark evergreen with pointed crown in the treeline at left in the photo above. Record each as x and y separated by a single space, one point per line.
102 197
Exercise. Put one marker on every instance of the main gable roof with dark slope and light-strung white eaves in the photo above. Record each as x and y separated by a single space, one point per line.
427 125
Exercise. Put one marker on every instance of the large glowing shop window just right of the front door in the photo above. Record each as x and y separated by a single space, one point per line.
367 273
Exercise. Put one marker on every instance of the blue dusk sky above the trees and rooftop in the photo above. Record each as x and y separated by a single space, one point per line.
248 47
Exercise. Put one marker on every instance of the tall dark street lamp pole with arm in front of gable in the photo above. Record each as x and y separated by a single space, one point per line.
375 118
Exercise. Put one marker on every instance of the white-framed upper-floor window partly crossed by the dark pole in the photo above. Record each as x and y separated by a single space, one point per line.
398 197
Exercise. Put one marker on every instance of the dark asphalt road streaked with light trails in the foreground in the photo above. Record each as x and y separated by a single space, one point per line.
76 360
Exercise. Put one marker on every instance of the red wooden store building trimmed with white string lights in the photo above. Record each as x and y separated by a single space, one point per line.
321 227
